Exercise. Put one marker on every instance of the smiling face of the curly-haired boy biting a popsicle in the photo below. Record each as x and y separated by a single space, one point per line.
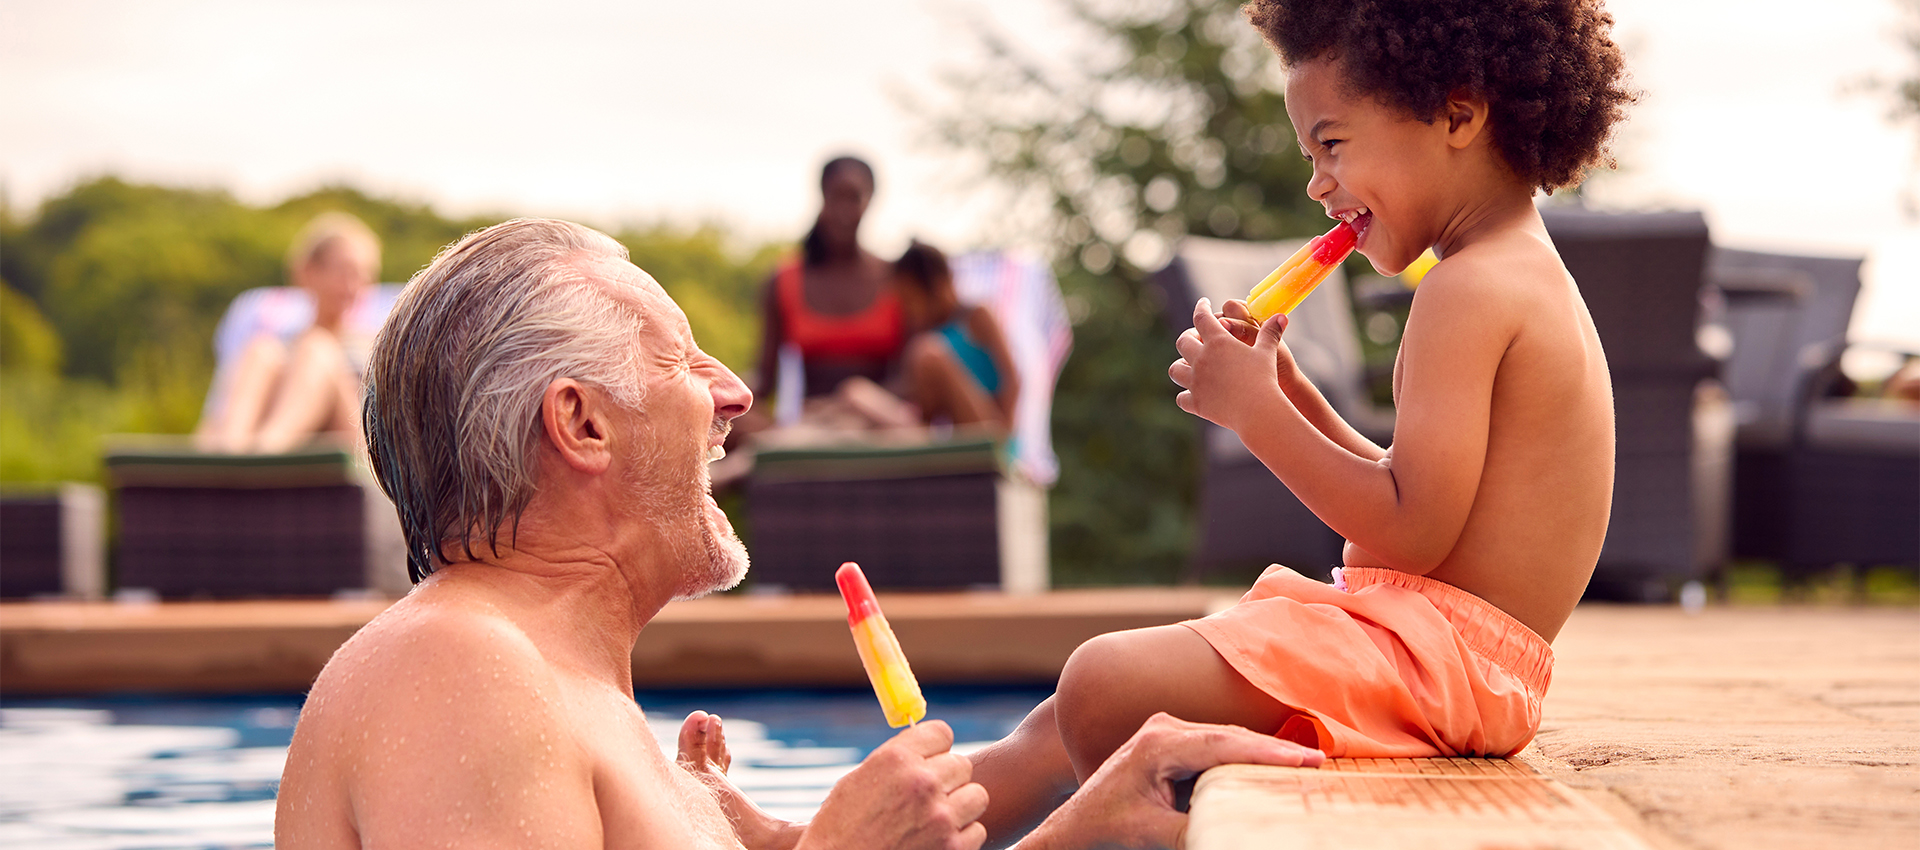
1372 164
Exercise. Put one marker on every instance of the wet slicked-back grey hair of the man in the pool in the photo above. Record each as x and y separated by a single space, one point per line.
460 369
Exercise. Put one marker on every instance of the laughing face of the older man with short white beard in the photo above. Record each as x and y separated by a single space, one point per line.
688 402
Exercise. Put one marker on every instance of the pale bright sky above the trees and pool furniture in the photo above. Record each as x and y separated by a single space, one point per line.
619 110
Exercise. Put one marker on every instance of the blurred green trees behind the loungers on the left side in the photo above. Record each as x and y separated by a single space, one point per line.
114 291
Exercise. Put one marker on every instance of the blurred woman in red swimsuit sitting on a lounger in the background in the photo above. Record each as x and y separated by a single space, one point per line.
836 304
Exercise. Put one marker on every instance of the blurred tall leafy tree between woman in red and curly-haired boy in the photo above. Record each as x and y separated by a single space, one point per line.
1170 126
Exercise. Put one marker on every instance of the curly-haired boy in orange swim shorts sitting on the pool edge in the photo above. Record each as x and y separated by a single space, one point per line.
1474 536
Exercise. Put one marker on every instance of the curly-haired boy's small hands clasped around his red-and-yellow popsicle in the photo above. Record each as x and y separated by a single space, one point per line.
1224 379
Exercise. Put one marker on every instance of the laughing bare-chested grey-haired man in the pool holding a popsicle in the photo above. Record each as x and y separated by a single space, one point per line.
542 417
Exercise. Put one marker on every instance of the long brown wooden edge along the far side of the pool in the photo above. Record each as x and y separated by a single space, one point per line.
719 642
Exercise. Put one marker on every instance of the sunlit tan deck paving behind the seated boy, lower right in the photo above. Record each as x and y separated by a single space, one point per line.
1742 728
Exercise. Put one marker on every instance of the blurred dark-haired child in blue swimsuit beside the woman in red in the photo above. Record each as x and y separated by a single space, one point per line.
955 367
